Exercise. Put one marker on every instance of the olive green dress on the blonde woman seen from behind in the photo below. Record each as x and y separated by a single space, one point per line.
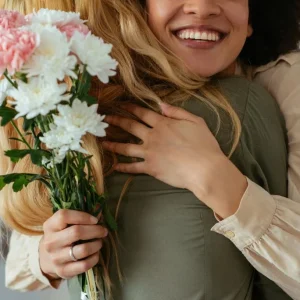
167 250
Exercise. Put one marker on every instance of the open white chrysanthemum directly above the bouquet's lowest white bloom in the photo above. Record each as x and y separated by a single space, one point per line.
80 118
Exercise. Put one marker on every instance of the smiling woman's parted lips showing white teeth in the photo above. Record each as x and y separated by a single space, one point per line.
199 37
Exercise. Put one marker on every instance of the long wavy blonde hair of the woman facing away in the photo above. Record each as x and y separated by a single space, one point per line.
148 73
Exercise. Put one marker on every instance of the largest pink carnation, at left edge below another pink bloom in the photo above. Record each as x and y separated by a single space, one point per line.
16 47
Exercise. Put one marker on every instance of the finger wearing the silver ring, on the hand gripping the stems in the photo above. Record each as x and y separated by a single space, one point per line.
80 251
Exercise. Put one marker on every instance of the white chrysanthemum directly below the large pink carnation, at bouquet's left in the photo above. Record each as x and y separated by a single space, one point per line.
37 97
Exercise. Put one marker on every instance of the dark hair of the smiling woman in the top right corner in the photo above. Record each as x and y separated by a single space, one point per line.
276 30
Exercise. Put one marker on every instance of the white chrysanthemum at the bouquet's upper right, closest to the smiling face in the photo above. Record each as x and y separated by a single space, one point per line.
94 53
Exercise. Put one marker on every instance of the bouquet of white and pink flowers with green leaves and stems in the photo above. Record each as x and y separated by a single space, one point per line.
37 53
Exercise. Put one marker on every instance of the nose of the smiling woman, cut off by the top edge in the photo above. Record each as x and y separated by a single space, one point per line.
202 8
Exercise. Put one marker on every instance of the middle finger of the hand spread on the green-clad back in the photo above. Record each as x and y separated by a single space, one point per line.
134 127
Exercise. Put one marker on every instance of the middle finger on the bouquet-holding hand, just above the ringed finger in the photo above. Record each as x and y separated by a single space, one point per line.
70 235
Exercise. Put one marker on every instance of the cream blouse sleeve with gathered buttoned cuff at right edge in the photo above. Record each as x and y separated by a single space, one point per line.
266 228
